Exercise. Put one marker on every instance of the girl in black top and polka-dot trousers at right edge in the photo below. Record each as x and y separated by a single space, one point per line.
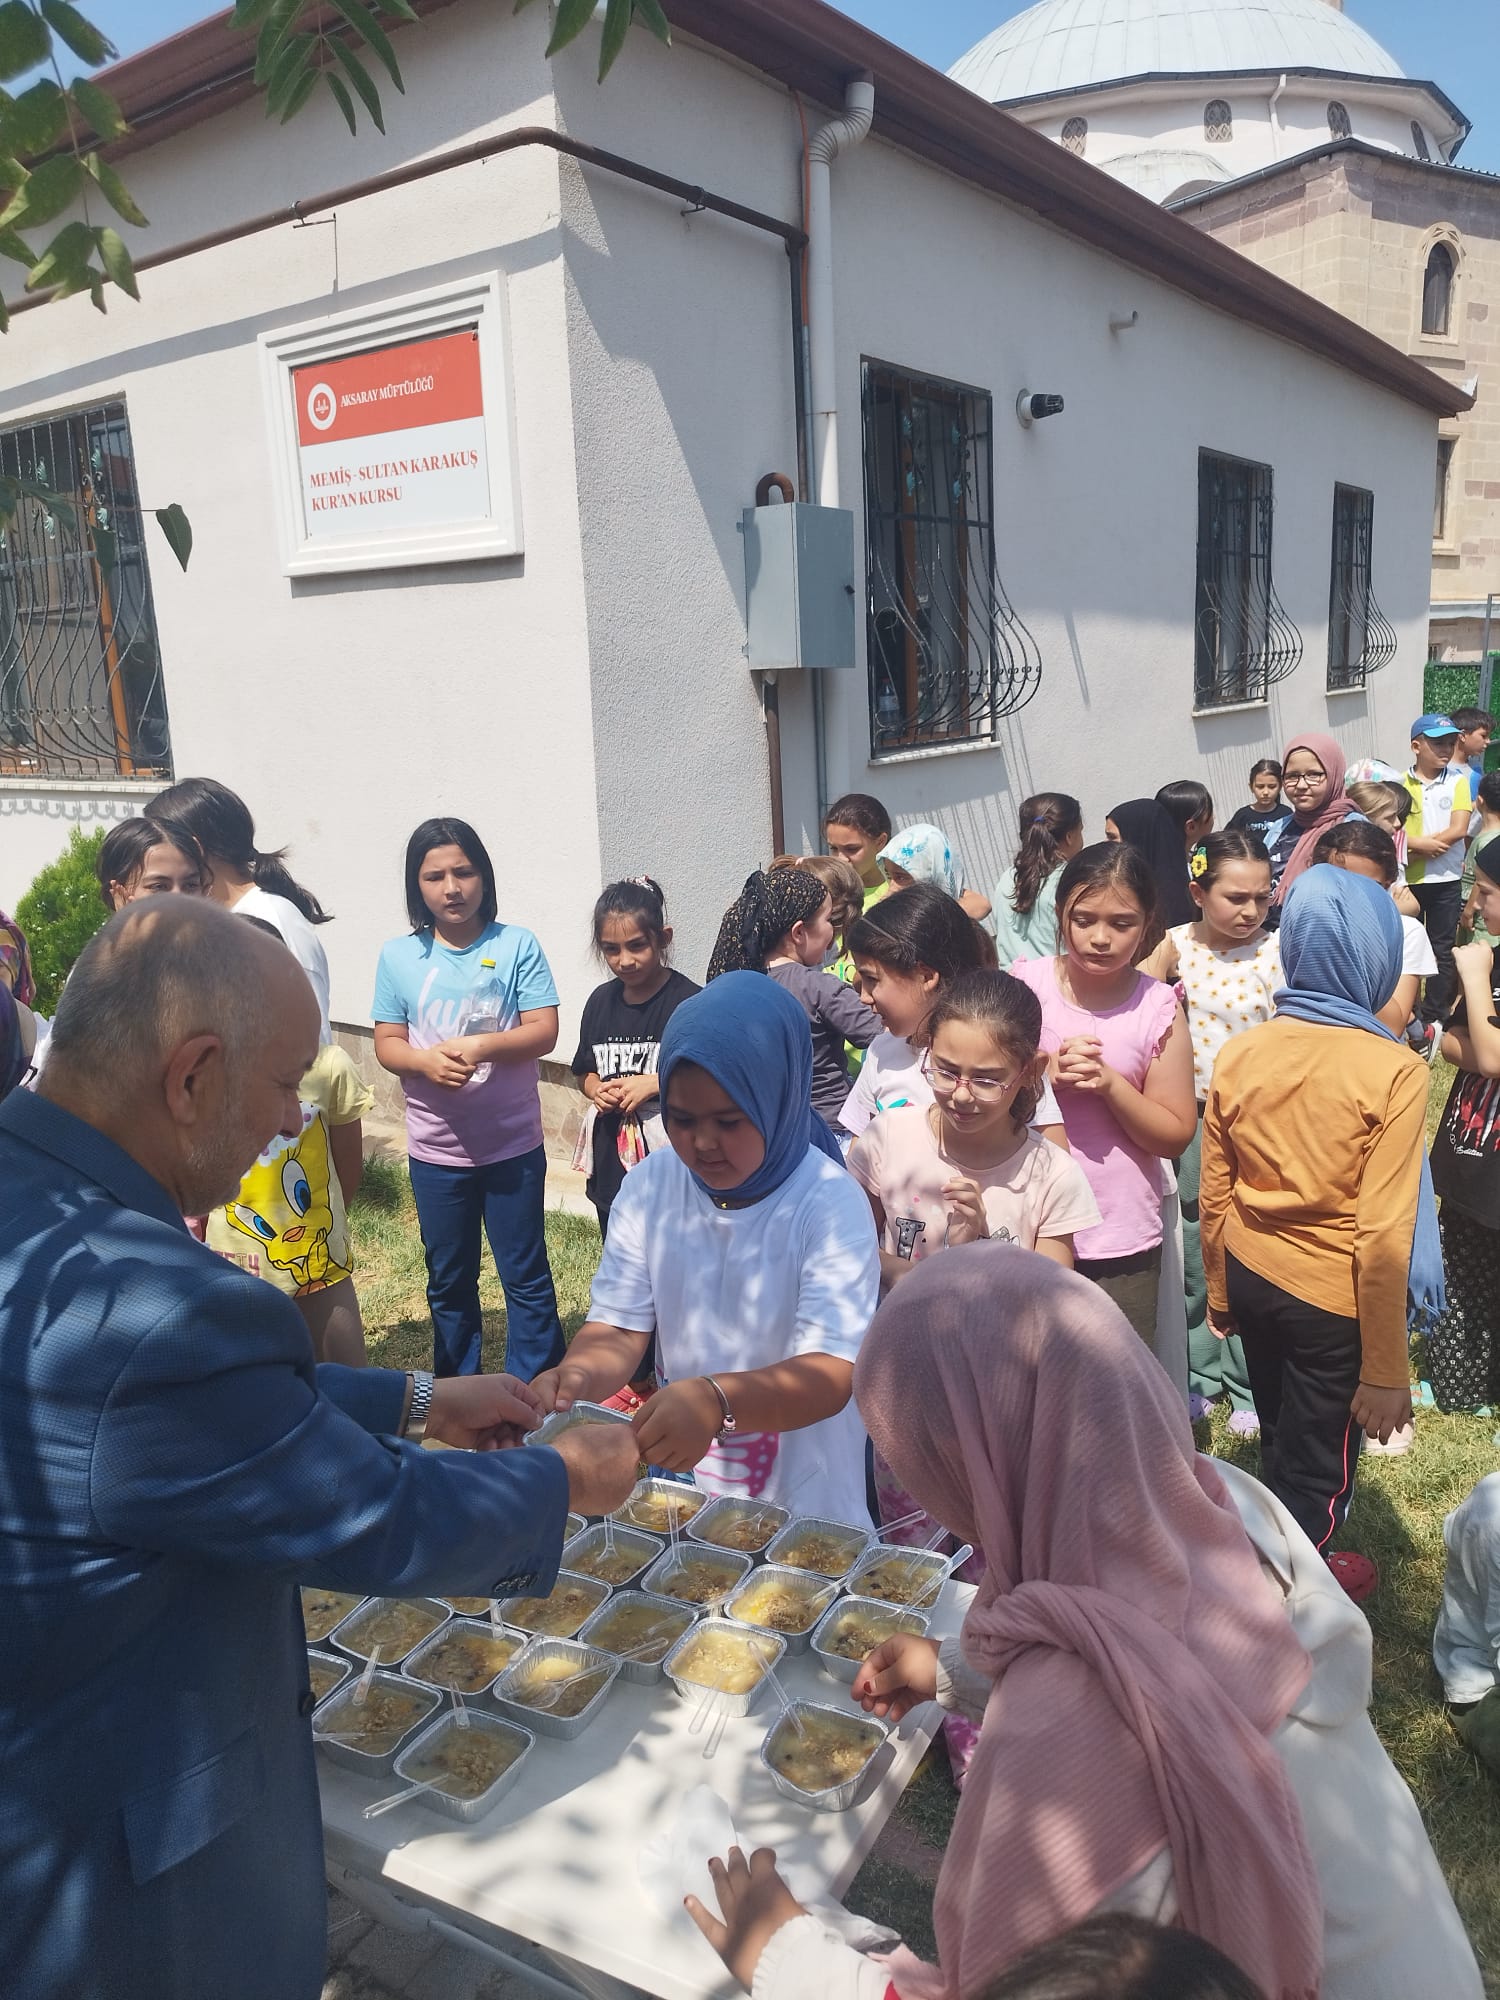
1465 1347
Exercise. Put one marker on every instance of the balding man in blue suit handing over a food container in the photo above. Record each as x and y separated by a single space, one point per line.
173 1465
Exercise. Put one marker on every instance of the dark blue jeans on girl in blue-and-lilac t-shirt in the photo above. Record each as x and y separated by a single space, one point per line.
505 1201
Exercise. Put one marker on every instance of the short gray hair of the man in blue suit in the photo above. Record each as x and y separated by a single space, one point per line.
159 973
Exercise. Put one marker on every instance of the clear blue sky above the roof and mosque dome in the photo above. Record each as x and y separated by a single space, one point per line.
1455 43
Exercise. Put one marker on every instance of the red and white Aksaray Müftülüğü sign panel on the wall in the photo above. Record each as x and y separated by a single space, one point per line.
393 439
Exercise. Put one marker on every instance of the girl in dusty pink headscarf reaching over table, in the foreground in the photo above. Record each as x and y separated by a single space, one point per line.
1173 1689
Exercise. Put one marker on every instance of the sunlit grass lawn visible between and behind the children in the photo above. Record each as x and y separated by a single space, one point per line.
1397 1519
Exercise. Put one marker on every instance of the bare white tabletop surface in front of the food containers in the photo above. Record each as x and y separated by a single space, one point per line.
557 1859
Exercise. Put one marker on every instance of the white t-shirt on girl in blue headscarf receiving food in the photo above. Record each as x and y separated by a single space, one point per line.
737 1289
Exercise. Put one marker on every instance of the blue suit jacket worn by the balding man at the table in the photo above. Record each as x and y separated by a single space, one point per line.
173 1465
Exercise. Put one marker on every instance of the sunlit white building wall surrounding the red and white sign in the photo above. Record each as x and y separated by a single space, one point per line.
347 709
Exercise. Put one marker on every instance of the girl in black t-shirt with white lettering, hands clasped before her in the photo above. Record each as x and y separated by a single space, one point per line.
623 1027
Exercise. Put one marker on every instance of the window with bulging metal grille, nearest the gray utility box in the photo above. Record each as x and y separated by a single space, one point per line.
949 657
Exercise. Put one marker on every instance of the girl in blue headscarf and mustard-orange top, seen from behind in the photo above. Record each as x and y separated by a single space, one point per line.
1317 1203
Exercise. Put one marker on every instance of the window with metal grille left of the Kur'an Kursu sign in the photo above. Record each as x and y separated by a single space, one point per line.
81 671
